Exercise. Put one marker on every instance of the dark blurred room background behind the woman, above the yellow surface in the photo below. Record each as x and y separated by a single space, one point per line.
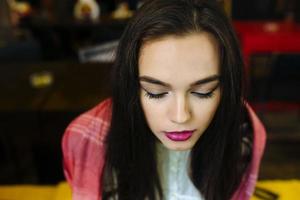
55 63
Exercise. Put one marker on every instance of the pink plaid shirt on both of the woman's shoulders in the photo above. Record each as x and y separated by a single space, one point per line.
83 153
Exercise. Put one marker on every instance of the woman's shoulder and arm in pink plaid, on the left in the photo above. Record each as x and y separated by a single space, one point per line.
83 151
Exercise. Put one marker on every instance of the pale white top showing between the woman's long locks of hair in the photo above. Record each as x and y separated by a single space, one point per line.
173 173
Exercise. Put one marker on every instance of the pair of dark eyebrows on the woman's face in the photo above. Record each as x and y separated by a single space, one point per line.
152 80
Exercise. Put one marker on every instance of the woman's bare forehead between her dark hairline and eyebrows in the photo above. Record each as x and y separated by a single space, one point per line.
180 59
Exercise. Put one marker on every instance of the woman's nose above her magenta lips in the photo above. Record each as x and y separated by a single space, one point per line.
180 112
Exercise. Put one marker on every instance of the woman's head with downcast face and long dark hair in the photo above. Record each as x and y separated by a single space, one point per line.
178 68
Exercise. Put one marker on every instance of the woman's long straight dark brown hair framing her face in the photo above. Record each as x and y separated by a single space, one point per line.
130 152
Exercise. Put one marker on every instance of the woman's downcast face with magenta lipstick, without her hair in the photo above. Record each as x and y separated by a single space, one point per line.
179 93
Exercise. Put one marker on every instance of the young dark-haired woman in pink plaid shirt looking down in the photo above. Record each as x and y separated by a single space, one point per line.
177 125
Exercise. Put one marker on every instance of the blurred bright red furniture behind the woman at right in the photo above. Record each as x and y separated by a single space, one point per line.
268 37
